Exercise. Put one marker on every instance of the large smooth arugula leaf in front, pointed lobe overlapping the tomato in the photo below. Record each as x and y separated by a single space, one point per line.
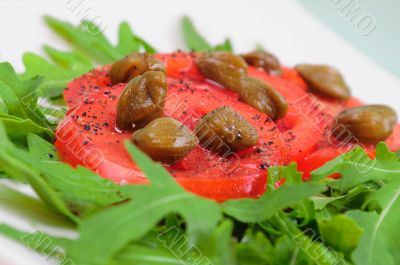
149 205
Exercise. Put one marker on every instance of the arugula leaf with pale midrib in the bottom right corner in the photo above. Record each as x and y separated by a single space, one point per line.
379 243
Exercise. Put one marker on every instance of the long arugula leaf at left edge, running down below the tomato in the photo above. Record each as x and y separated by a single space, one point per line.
57 183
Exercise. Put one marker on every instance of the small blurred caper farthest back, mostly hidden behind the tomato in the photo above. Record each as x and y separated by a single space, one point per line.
265 60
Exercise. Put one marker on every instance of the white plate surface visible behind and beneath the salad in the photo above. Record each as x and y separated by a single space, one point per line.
283 27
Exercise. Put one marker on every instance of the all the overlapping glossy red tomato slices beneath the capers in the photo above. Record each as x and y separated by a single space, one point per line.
88 136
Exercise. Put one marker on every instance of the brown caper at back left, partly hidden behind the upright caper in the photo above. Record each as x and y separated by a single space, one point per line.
134 65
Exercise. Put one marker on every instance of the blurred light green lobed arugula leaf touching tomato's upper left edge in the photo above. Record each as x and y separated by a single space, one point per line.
69 65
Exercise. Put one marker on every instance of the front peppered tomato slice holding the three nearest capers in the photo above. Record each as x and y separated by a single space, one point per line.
88 137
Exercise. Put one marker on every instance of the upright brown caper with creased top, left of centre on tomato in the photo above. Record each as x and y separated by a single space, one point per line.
142 100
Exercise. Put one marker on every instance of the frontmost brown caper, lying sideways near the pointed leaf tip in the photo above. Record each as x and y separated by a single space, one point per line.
165 139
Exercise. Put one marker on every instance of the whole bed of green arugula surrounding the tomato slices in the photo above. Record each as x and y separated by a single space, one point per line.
351 220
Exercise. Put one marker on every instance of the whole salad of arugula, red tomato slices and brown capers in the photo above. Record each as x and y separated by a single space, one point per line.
201 156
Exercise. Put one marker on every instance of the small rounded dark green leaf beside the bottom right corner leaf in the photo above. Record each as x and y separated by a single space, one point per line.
340 233
